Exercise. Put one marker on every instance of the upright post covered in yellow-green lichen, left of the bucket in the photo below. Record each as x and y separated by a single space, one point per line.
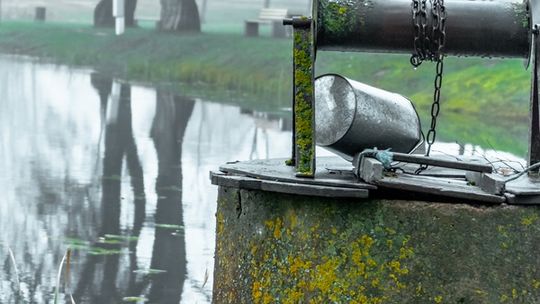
303 103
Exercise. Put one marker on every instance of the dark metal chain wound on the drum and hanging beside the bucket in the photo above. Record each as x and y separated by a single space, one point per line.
432 49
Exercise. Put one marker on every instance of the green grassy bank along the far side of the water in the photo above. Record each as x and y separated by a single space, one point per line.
480 97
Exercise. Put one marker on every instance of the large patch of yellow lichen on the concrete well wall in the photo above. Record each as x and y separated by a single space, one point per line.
346 272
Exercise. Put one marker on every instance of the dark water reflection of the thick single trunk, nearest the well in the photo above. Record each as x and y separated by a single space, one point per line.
169 252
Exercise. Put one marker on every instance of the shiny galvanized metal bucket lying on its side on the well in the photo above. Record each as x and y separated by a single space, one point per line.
351 116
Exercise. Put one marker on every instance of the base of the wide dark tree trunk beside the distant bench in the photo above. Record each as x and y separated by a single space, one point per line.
180 16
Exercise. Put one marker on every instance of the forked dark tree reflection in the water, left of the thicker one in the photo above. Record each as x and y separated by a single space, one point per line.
116 115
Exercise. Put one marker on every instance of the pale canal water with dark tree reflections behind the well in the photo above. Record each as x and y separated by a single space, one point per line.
116 174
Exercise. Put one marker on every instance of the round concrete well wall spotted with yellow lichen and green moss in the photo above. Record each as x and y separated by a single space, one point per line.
274 248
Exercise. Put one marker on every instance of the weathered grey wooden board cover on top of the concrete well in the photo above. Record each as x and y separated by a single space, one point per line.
335 178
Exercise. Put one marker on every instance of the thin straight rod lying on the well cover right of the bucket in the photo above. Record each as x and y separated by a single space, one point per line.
431 161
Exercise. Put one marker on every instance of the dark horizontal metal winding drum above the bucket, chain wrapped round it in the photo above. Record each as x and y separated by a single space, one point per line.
496 28
